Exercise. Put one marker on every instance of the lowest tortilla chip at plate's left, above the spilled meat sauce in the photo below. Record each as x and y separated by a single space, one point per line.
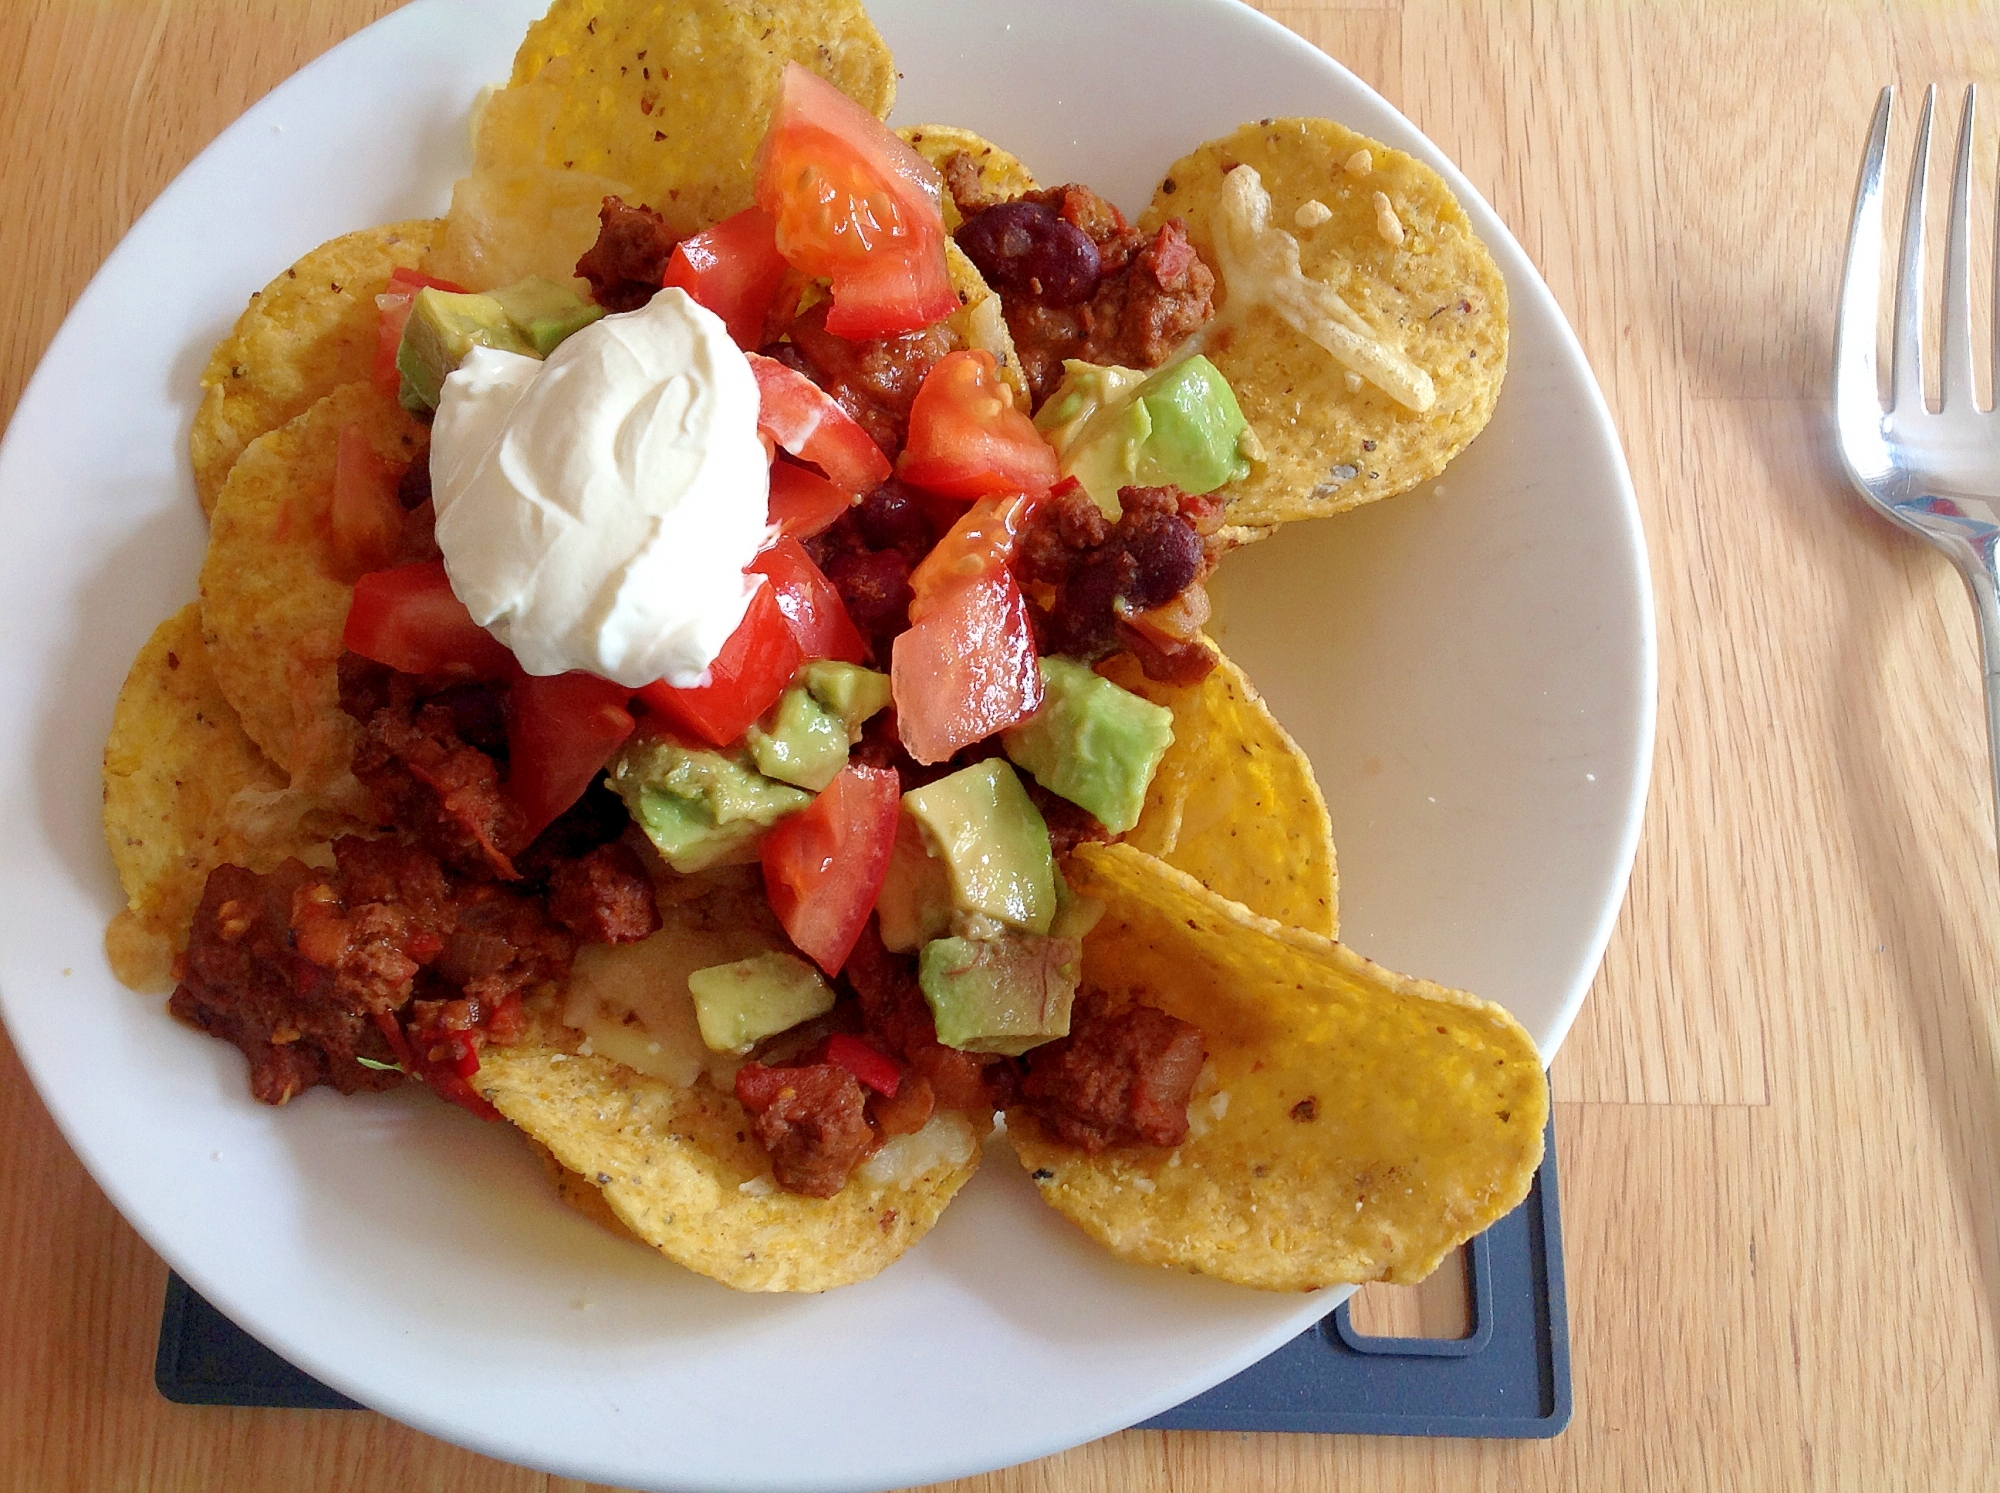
187 792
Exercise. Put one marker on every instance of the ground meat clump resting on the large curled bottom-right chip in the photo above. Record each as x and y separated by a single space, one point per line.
1121 1078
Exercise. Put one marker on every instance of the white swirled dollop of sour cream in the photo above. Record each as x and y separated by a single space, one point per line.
597 511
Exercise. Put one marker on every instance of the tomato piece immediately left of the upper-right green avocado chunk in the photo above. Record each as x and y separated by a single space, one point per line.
969 439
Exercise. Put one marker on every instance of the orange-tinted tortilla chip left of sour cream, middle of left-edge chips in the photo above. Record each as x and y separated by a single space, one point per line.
273 607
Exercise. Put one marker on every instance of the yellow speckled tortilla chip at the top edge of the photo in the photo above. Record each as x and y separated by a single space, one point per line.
673 95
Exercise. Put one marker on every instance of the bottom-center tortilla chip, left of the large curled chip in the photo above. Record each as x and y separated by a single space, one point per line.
681 1172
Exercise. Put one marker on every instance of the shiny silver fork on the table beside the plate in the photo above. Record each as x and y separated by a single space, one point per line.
1937 475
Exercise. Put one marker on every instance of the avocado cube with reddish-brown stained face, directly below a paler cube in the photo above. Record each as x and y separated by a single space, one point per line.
1001 996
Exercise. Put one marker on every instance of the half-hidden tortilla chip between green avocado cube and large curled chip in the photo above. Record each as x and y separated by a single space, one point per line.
1235 802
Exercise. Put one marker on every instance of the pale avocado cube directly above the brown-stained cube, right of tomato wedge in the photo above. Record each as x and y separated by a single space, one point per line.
993 844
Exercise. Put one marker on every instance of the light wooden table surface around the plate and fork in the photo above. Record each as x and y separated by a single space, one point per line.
1779 1114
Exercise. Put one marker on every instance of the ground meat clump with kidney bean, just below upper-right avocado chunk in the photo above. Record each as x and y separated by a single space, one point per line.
1097 587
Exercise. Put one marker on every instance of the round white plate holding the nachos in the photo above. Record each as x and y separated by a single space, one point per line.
1473 675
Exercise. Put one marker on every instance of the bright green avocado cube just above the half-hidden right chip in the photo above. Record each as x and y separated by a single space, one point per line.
1093 743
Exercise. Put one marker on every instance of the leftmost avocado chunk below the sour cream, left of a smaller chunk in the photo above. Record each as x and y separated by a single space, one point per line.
697 806
